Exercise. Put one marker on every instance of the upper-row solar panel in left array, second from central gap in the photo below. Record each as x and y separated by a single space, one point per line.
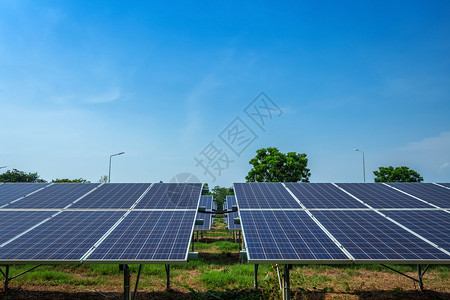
113 195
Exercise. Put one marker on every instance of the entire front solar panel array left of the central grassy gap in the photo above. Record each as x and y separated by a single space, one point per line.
92 223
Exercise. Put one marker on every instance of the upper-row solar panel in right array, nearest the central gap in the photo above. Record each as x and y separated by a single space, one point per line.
264 195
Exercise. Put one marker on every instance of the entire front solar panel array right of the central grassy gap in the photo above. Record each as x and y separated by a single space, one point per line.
335 223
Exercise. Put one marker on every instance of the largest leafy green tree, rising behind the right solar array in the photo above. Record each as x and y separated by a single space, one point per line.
271 165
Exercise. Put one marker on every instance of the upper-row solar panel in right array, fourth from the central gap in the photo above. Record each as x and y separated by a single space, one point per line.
429 192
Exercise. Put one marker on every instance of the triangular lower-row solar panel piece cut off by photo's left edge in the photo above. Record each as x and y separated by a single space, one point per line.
16 222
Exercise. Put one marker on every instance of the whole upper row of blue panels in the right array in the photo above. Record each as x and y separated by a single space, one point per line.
341 195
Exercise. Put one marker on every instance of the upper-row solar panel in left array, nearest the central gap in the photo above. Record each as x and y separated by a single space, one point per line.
171 196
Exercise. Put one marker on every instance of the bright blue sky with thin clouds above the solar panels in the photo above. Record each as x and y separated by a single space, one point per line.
81 80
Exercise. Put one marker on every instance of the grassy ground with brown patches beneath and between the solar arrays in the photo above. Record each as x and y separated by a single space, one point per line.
218 274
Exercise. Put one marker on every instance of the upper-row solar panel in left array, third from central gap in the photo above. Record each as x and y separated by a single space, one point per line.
57 195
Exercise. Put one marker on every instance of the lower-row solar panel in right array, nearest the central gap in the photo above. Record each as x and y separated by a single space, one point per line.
279 236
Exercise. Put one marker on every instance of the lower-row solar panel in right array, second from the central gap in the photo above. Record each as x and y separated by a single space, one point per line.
367 235
